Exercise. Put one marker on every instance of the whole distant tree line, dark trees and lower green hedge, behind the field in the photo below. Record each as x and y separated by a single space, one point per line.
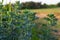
37 5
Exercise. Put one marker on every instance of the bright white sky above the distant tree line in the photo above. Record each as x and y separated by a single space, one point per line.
43 1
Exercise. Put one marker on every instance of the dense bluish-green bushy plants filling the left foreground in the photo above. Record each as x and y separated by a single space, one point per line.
15 25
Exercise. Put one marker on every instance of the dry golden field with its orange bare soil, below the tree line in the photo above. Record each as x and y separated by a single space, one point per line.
43 12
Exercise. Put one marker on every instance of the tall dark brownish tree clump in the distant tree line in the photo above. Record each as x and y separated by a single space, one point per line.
31 5
